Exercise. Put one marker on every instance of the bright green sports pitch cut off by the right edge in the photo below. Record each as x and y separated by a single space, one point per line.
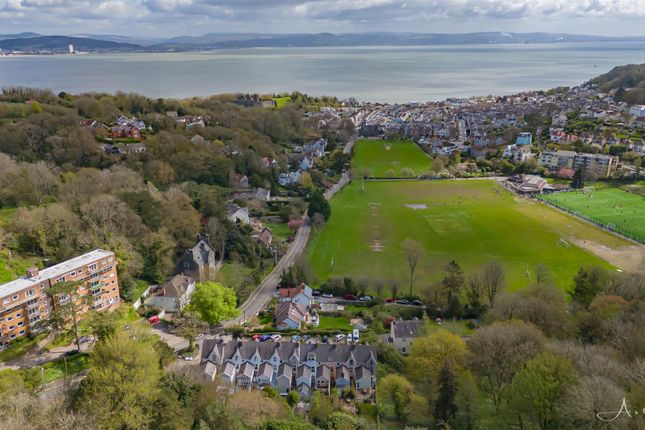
612 207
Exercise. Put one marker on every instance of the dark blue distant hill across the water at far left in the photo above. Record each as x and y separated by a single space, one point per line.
61 44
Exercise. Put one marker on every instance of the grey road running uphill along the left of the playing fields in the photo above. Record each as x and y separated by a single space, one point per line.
259 298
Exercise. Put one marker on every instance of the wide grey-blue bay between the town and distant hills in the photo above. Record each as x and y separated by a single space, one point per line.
381 74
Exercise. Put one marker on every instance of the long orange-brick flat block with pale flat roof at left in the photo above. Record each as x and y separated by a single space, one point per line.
25 303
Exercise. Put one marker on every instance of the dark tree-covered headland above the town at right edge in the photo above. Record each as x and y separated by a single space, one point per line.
629 80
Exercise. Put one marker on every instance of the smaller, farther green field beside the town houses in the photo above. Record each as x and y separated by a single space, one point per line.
379 157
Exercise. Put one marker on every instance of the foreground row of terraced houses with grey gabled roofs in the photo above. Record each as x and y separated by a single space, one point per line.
291 366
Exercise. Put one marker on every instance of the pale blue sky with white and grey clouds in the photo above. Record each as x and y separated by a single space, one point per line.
168 18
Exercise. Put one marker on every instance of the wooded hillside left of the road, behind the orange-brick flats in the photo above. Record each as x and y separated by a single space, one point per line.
61 194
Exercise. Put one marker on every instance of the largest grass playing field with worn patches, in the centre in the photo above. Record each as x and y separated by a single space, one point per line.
470 221
